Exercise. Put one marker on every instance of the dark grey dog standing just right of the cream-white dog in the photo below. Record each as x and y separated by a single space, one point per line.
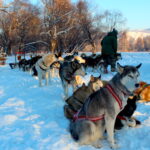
67 72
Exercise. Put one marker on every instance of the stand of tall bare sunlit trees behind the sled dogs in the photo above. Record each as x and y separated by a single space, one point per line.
57 26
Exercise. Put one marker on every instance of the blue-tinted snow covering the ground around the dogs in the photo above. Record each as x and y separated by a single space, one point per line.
31 117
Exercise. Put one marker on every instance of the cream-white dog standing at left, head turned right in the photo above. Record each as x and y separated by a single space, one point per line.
42 67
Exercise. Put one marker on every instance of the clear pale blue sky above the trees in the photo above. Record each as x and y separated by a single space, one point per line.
136 12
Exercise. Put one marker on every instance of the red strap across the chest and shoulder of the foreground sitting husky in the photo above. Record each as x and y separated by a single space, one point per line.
114 94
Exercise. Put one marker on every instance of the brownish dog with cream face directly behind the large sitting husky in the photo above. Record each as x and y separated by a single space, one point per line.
75 102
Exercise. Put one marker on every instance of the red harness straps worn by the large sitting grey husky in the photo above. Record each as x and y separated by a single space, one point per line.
111 90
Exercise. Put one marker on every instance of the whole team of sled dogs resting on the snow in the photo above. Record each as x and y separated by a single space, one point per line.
98 107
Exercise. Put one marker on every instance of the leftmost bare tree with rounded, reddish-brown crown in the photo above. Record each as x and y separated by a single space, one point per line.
19 25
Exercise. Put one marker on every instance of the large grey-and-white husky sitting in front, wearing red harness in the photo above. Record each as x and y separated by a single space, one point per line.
99 111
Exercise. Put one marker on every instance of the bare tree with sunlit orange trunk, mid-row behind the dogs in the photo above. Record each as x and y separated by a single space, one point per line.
56 22
